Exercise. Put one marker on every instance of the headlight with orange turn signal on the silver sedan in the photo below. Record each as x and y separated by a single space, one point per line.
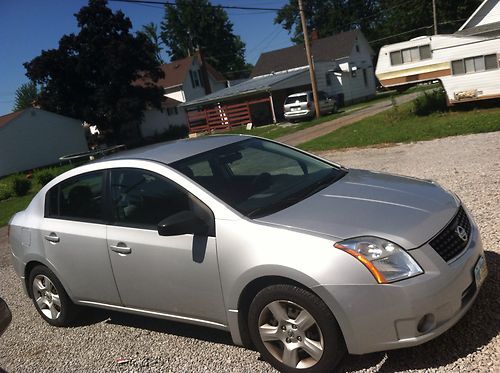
386 261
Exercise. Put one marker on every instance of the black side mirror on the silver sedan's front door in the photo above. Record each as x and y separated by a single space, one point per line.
184 222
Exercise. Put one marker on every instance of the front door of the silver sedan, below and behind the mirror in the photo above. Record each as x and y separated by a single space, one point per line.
175 275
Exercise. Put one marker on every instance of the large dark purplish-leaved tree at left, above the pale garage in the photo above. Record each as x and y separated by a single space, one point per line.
93 75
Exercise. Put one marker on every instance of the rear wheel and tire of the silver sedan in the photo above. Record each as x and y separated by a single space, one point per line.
49 297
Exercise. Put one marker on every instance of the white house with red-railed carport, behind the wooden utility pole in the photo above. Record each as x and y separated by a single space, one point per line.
343 65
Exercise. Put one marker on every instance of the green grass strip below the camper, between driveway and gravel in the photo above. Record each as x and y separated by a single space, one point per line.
402 125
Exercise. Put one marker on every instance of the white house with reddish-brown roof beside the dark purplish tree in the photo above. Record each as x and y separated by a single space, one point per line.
183 81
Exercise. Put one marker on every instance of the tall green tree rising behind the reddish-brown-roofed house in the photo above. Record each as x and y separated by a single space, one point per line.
190 25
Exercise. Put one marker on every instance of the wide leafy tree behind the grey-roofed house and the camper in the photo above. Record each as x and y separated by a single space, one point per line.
376 18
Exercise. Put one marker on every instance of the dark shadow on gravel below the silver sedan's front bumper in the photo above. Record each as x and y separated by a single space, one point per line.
475 330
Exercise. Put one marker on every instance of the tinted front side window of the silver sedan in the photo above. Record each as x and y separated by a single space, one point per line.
142 199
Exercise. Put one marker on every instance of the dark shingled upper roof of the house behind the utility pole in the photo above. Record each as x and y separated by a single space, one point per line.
325 49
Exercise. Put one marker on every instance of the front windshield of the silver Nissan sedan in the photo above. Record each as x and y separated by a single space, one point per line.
258 177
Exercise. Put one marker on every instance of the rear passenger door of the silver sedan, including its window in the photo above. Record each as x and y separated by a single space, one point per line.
73 233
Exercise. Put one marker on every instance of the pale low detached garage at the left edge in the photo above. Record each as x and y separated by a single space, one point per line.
34 138
